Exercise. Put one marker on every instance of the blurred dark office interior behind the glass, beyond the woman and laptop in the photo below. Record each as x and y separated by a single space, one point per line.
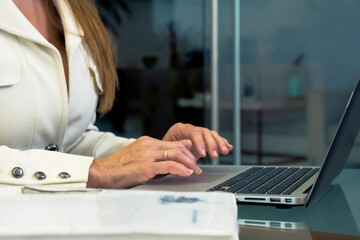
299 61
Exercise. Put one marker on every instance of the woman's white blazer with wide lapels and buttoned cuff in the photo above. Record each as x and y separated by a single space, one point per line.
37 110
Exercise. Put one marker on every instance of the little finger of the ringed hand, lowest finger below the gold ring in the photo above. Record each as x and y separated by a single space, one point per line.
171 167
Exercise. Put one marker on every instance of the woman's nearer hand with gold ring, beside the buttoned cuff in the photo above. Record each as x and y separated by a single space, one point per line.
142 160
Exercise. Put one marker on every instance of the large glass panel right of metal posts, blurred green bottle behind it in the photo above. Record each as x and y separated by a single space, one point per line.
298 67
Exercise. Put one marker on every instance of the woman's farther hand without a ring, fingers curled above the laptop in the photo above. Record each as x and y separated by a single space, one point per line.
203 140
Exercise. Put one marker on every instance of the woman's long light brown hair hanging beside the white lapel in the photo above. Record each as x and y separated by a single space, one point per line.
98 45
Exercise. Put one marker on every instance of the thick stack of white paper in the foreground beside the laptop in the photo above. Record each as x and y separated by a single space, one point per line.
119 212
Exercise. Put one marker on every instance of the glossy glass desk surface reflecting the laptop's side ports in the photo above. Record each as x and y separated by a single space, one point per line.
336 215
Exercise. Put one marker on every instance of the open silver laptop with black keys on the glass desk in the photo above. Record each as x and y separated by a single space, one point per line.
278 185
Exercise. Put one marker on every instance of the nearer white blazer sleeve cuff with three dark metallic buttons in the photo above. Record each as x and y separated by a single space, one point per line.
37 166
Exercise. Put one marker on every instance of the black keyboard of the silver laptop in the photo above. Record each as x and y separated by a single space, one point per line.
267 180
